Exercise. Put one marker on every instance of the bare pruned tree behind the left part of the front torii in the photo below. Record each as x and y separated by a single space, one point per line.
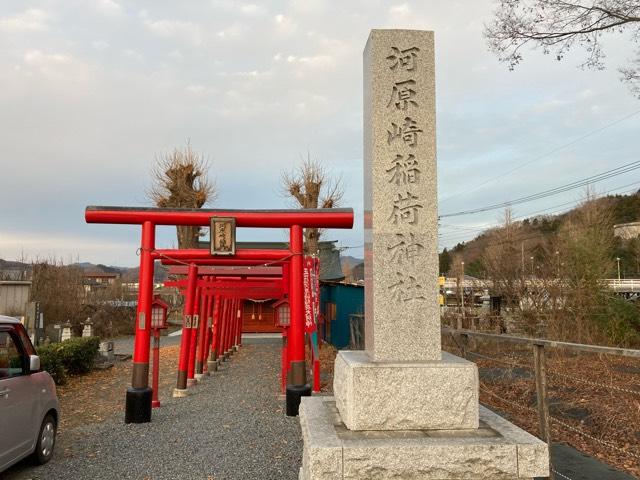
180 180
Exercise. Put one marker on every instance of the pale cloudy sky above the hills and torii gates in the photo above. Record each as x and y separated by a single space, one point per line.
92 91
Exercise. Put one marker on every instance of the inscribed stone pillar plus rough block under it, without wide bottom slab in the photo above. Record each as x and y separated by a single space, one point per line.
402 380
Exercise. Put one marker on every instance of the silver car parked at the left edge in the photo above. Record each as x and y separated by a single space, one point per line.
29 409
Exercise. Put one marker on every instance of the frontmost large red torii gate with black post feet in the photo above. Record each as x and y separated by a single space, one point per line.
138 398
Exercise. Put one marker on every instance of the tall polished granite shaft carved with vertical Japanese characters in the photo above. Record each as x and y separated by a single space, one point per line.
400 198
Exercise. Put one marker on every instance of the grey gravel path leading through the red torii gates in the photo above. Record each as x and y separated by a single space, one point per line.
232 427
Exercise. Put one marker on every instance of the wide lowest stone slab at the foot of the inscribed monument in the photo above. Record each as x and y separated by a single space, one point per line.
495 450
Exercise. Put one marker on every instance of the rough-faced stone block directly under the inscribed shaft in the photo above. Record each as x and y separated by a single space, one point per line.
440 394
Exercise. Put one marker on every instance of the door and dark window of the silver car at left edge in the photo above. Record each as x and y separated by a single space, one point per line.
18 400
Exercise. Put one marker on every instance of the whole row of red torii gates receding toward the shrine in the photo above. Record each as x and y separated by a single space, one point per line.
216 282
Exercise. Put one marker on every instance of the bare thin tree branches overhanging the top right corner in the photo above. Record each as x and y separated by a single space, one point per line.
557 26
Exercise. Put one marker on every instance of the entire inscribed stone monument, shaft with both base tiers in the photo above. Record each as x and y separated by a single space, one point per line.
402 408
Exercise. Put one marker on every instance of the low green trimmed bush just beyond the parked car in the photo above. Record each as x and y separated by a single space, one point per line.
74 356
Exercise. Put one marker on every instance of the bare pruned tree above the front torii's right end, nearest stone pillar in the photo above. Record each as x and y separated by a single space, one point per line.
310 186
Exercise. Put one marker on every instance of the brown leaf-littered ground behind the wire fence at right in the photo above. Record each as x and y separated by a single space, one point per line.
597 397
